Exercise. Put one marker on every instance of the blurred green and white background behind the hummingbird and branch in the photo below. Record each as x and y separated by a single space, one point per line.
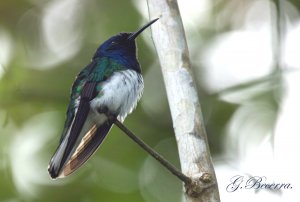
243 60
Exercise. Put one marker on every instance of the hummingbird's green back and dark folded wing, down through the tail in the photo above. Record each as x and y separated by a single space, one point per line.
81 136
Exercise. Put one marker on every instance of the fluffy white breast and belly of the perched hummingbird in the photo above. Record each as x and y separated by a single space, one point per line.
120 93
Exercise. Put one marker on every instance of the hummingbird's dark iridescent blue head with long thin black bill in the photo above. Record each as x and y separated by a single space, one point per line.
122 48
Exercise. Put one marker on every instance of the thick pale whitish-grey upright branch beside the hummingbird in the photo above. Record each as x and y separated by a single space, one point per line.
169 39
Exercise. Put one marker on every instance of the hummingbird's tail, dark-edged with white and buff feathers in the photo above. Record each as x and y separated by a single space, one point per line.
68 159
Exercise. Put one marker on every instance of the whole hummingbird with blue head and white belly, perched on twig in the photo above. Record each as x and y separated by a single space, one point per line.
110 84
